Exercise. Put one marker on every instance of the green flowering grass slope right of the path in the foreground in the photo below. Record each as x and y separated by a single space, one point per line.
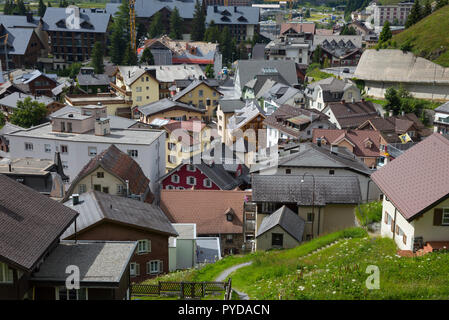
339 272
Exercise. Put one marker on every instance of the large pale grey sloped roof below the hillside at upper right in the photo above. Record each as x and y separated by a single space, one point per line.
396 66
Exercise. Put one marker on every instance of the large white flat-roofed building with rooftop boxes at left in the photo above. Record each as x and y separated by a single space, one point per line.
80 137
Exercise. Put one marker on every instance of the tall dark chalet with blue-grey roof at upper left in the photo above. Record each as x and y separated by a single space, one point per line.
74 42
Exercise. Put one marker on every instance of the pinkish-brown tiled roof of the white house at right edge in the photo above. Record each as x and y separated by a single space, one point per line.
417 179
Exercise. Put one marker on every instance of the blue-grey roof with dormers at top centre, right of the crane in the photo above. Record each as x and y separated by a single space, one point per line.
233 15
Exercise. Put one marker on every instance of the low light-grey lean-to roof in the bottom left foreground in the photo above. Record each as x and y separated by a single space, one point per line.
102 262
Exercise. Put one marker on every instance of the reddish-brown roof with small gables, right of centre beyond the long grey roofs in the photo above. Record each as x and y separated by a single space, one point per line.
357 137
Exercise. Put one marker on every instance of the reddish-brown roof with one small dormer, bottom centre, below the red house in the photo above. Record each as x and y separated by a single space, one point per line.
206 208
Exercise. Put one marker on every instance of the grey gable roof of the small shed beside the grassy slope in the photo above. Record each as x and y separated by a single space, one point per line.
291 222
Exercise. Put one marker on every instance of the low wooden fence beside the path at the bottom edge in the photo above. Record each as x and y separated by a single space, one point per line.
189 290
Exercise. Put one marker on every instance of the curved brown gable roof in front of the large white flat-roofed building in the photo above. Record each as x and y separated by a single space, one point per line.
118 164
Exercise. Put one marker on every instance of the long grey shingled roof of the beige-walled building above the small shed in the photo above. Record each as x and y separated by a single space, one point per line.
289 189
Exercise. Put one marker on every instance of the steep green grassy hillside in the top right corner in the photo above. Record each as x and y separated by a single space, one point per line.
429 37
